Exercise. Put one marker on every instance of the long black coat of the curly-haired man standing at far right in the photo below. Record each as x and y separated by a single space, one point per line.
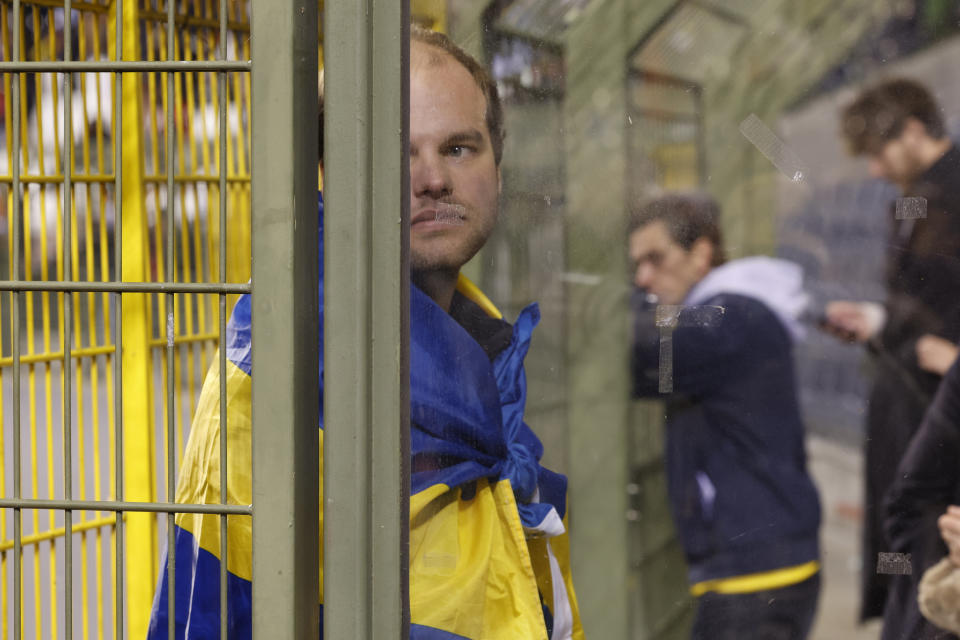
923 296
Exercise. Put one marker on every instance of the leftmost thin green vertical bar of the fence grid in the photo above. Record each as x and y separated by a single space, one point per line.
15 328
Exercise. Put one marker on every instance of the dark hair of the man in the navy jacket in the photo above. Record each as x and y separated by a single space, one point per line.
687 217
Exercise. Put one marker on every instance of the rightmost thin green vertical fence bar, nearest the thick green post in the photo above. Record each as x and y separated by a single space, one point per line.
222 299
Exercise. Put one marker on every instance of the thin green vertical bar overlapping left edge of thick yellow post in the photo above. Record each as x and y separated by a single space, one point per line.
118 315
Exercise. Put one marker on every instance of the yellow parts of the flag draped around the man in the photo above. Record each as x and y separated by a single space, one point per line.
472 572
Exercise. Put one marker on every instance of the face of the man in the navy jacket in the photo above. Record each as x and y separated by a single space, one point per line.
663 267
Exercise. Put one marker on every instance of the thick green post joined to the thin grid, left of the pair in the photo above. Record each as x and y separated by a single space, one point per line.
285 305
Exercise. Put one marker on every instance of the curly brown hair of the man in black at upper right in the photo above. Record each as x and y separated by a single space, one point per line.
879 114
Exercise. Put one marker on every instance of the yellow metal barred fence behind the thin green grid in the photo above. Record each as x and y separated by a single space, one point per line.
125 230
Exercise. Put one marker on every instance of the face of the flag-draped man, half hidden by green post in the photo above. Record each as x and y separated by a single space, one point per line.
452 167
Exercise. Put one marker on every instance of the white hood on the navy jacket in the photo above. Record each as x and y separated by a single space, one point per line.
776 283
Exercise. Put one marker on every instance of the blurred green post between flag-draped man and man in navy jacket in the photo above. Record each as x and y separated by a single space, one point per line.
598 323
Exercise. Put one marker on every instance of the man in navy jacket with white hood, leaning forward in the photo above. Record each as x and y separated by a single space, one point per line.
745 507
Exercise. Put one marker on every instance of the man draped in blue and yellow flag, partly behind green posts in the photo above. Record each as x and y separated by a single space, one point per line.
488 545
